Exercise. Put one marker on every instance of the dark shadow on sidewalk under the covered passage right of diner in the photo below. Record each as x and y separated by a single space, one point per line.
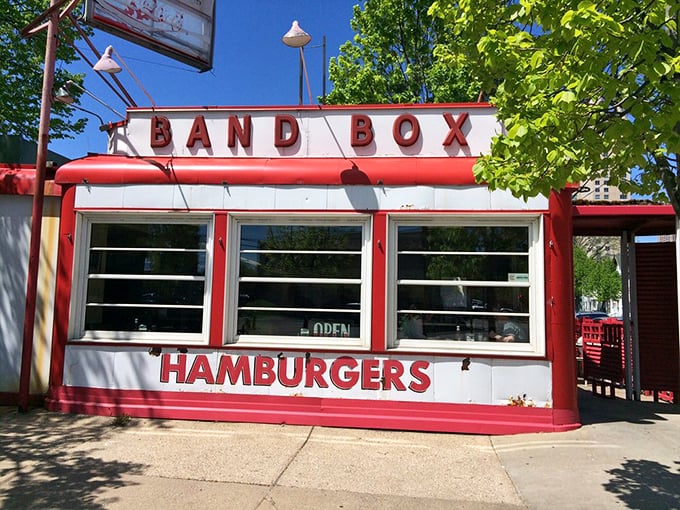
596 409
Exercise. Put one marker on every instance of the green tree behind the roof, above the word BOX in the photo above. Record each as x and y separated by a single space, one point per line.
390 59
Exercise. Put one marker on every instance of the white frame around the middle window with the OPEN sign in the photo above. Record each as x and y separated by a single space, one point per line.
297 342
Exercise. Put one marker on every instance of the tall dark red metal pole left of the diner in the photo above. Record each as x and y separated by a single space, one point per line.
37 211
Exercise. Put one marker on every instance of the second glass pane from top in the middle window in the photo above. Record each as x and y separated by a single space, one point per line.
301 265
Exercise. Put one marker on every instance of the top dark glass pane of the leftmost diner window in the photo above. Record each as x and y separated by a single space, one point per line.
143 235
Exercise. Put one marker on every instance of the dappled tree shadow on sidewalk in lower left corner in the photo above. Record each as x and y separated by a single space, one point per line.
50 461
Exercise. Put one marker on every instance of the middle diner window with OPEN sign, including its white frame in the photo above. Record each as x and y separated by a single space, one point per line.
300 281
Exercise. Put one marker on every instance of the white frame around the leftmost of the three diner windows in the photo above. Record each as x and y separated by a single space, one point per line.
84 221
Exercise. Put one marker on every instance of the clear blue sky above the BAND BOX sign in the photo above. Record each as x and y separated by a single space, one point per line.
251 66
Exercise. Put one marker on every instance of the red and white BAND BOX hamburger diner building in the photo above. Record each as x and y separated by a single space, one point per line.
318 265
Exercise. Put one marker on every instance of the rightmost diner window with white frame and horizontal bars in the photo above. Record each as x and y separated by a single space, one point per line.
466 284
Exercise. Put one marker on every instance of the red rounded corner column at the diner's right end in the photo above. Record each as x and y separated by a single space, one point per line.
560 302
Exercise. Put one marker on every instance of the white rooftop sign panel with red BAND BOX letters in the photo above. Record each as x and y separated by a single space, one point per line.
333 132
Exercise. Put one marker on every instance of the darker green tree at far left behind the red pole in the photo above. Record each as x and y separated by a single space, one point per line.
21 74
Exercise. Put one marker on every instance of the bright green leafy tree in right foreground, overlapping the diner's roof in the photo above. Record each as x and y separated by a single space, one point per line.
584 89
